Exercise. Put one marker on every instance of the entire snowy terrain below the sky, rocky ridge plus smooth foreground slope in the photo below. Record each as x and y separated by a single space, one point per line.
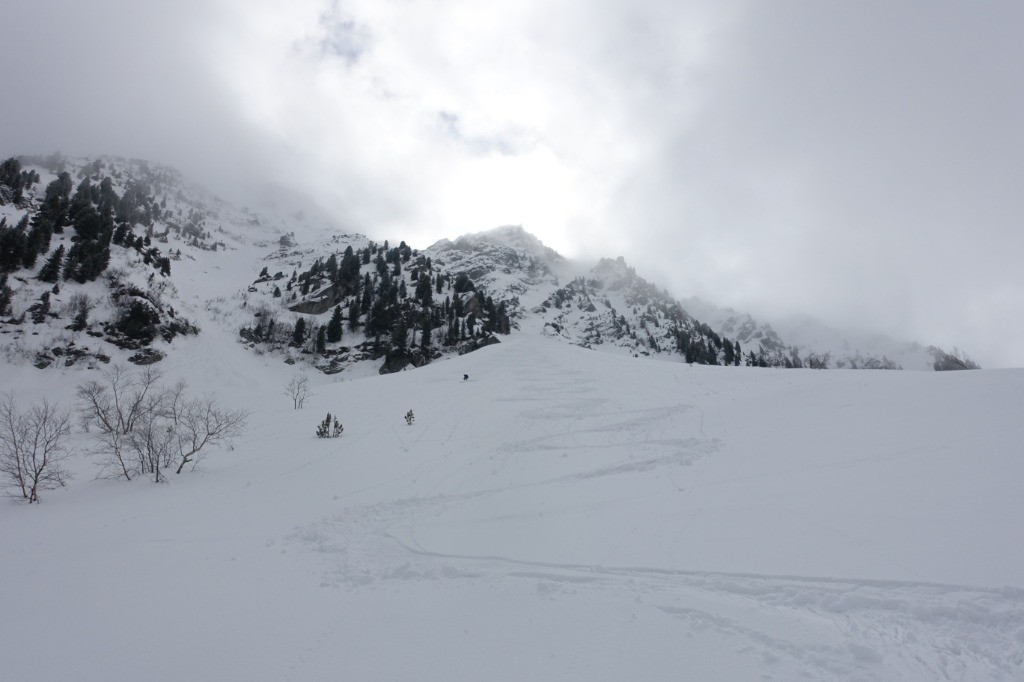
550 506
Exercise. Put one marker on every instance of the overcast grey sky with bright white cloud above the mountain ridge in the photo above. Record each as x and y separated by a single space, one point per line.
861 162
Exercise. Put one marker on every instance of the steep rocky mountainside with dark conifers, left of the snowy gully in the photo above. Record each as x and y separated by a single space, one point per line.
91 253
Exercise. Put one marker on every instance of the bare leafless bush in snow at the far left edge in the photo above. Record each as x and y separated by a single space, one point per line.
32 448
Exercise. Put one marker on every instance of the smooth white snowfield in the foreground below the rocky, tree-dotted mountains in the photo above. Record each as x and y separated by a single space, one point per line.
565 515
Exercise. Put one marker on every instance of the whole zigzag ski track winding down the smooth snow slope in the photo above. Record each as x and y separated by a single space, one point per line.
791 626
